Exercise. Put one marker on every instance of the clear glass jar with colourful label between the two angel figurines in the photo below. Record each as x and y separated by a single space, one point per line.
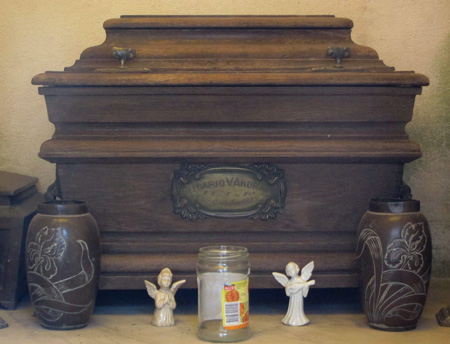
223 294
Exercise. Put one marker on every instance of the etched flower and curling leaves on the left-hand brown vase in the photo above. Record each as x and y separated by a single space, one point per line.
47 295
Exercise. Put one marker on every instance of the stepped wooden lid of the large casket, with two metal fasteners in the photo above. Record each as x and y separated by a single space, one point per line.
230 50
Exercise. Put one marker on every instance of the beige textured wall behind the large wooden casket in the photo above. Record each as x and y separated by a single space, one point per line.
37 36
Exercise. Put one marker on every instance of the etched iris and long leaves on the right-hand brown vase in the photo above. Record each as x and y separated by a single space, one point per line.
400 290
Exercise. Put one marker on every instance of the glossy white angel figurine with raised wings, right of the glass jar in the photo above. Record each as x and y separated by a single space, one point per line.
297 288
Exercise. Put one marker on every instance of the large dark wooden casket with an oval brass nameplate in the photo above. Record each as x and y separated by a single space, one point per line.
266 132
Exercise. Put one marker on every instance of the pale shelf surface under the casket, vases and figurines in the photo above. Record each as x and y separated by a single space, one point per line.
335 315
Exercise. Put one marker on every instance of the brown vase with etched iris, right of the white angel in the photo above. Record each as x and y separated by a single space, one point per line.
394 251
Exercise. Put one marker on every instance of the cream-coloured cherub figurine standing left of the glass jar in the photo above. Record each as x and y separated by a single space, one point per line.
164 298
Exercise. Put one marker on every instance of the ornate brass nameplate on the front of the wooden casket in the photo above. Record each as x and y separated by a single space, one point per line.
201 191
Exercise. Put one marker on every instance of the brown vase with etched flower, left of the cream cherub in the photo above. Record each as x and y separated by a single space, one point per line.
63 264
